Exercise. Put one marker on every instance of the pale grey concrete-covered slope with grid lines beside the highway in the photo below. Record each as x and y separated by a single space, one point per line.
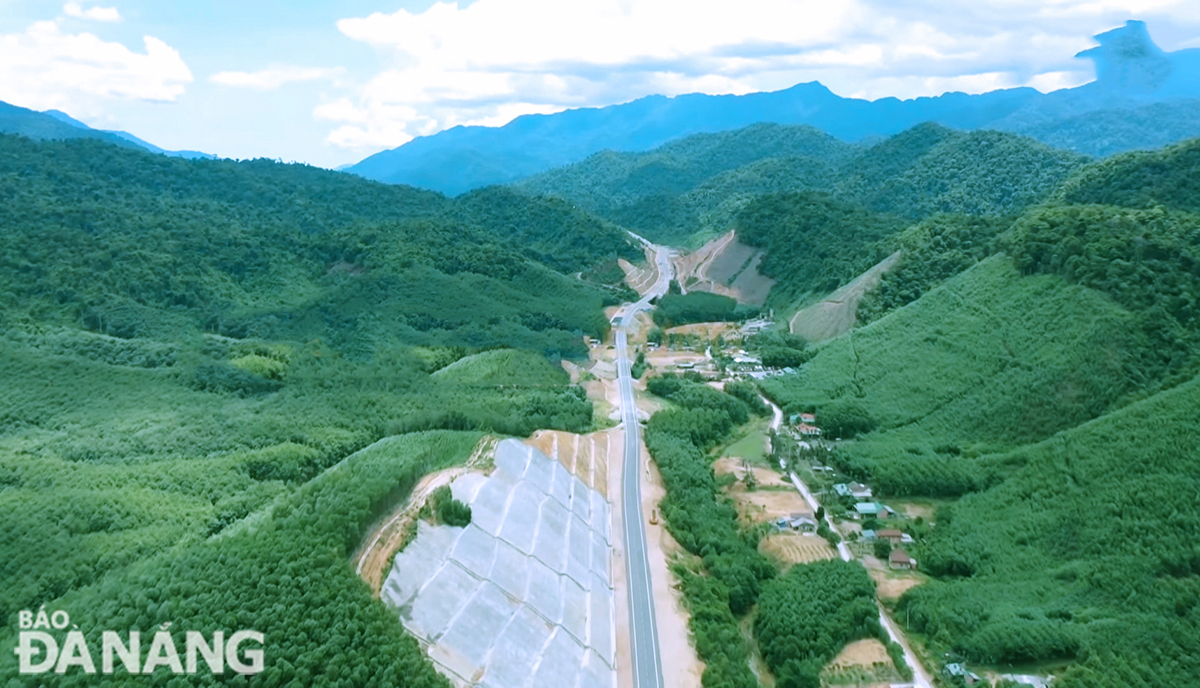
523 597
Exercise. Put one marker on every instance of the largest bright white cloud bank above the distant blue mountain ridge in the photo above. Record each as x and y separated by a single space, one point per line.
496 59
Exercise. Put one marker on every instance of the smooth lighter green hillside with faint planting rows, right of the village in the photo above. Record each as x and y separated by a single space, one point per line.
988 358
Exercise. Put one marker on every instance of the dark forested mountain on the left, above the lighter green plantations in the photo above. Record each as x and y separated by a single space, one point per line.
130 244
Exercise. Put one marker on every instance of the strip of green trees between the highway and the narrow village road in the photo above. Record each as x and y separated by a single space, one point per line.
801 620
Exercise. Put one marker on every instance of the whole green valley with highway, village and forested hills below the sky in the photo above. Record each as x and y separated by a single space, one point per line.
759 406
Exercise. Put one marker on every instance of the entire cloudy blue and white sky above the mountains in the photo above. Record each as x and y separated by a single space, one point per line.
331 83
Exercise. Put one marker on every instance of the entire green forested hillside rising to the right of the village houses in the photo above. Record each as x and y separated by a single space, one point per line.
1041 372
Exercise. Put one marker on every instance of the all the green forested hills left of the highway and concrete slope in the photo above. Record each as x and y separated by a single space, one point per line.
196 354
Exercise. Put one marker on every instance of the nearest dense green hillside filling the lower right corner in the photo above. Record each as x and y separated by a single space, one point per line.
1088 552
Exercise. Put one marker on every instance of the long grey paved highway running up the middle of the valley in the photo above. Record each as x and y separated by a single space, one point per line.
644 629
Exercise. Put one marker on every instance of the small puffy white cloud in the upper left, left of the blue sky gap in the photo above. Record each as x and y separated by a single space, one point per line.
45 68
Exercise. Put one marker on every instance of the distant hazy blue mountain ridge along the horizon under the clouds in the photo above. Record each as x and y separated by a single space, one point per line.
1135 76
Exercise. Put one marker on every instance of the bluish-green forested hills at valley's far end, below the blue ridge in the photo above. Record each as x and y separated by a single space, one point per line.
694 189
